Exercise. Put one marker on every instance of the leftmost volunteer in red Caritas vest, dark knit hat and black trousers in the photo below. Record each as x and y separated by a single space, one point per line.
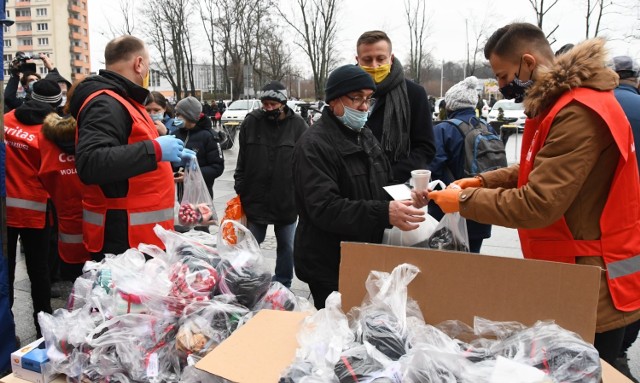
26 196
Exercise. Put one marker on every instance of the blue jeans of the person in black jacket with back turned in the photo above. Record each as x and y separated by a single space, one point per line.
284 252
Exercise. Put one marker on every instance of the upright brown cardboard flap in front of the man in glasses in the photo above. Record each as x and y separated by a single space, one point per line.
453 285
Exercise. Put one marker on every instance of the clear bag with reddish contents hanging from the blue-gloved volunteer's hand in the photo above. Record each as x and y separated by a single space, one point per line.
196 207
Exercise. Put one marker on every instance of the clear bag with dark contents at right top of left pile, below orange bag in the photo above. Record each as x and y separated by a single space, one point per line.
242 270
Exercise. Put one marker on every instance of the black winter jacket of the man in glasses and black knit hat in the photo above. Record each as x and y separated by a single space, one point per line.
339 175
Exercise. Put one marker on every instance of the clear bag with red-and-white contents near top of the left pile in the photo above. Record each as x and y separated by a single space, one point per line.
193 280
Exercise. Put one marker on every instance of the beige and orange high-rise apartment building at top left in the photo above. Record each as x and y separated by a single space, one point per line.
59 28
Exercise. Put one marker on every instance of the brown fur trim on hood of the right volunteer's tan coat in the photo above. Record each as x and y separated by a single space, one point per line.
583 66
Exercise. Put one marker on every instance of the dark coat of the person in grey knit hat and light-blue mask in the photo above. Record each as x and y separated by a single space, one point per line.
204 141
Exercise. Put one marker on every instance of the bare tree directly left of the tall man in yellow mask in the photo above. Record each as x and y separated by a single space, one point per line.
316 36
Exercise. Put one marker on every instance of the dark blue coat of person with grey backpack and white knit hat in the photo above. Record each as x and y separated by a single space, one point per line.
449 161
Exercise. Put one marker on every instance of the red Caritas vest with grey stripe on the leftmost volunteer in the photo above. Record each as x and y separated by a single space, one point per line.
26 197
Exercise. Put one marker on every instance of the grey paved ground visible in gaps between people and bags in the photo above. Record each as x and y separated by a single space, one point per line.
503 242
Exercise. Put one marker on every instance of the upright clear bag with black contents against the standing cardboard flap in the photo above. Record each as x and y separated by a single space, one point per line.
382 318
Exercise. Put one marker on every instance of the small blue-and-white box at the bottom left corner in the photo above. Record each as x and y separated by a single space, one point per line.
32 364
